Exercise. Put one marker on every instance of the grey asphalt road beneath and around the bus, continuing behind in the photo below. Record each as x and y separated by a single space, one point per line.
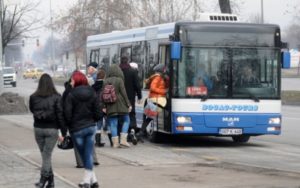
267 152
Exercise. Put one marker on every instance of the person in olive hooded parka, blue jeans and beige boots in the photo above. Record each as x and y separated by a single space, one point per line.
119 110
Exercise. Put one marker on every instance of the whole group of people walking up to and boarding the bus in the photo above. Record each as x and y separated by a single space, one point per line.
101 101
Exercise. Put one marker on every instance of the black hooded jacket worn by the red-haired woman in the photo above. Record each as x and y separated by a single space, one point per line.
81 108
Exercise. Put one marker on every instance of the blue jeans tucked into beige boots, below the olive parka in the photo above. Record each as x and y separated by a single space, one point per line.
113 123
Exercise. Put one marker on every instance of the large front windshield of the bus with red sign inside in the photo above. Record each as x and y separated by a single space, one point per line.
227 73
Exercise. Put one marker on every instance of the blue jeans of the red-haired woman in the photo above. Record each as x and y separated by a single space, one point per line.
84 142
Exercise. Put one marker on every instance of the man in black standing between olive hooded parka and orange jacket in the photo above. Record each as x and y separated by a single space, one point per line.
132 87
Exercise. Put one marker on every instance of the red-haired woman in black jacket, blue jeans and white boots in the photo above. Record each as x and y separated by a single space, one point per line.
82 111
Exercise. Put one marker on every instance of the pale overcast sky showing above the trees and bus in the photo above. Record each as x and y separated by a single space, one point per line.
275 11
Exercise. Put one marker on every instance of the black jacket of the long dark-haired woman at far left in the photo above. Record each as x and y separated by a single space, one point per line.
47 112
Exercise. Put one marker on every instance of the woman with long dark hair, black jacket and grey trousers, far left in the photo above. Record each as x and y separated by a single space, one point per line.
45 105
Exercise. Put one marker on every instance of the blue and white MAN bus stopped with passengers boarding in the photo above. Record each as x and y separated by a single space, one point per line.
224 75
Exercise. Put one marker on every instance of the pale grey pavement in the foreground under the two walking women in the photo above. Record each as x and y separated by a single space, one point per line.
145 165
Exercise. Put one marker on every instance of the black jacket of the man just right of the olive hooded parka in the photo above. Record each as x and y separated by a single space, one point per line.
131 81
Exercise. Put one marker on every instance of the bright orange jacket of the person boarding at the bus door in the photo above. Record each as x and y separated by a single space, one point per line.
158 86
